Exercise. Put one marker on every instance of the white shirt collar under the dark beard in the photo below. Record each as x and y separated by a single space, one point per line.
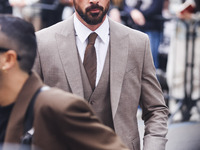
83 32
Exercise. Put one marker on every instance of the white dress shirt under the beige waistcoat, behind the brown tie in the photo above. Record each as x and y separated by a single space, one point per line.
101 43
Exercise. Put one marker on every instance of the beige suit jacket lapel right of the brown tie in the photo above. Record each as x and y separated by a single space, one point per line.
119 54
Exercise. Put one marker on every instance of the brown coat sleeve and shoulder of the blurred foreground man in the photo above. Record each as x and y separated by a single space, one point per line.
72 123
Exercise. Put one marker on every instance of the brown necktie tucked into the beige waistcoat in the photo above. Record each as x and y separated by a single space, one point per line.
90 61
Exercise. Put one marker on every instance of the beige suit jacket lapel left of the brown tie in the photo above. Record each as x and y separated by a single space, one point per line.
69 58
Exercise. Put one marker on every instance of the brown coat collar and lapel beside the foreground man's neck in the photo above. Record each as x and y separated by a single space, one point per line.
16 121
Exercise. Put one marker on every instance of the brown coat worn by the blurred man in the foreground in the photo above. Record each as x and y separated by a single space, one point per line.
62 121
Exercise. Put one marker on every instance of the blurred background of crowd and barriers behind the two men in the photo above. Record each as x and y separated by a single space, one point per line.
173 27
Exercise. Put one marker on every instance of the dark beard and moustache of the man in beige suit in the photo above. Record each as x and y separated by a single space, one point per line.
95 18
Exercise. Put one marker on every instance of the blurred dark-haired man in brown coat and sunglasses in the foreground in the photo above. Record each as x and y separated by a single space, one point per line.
61 120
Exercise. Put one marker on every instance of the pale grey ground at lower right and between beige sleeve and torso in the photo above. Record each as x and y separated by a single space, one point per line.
181 135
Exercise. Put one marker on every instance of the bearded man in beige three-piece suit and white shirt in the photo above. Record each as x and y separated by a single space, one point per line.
125 75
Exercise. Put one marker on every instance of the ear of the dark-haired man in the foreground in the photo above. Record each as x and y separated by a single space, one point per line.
10 59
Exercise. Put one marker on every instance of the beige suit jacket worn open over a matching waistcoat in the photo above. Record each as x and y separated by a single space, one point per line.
132 79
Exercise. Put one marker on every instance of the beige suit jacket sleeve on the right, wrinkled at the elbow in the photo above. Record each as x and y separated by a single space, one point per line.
155 111
